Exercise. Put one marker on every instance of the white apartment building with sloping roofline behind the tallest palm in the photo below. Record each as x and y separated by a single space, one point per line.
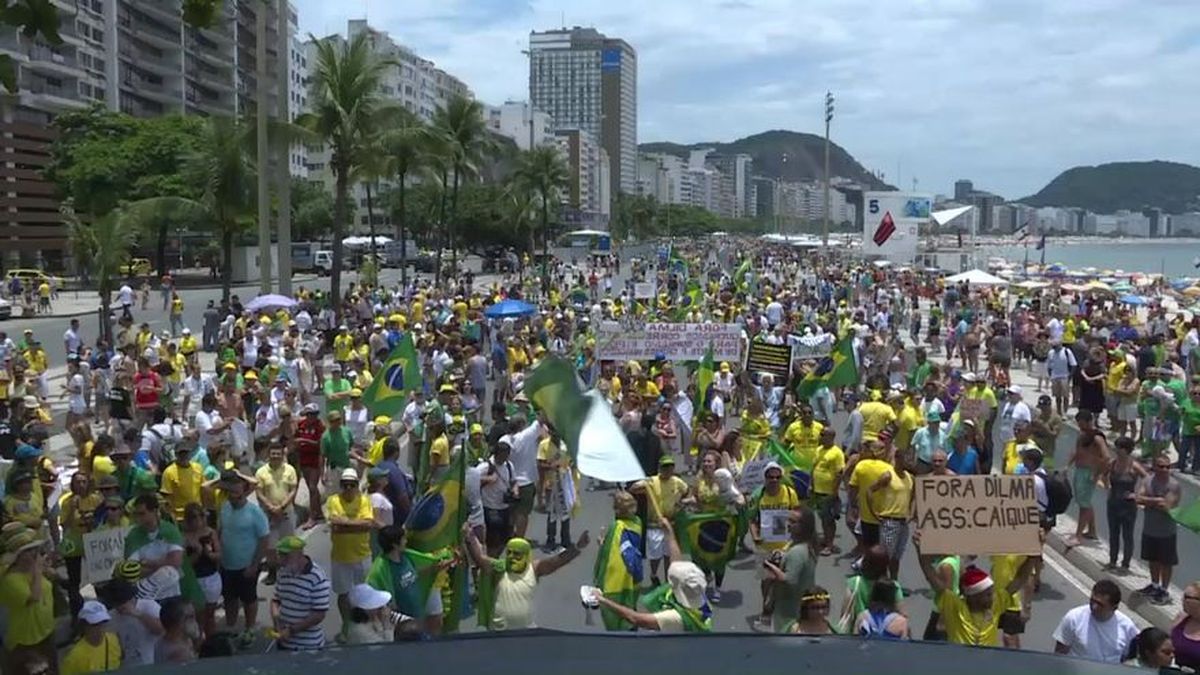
413 82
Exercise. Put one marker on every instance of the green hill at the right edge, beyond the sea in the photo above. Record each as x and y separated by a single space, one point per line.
1106 189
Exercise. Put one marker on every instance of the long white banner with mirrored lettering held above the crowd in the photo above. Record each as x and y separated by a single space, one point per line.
675 342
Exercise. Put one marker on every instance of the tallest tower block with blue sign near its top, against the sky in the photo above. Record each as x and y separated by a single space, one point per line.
587 81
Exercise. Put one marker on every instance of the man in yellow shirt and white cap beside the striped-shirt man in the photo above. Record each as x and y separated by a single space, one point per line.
351 519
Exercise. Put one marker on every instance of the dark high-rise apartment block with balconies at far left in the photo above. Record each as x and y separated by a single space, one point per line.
136 57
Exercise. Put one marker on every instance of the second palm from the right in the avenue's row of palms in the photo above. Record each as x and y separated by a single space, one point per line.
469 141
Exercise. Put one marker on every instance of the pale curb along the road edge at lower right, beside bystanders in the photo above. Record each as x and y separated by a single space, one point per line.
1088 559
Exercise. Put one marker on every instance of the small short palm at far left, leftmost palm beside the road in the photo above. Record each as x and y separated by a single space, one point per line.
103 247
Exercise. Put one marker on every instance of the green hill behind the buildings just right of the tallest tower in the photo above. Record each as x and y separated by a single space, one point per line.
805 154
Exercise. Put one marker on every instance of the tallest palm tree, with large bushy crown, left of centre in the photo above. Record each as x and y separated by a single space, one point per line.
345 106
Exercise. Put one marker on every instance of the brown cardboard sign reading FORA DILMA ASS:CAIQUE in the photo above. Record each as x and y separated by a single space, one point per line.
977 516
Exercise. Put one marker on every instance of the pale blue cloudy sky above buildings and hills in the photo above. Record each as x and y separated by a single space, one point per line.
1007 93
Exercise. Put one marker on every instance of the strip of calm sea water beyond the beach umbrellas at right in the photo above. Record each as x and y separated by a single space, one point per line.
1173 259
